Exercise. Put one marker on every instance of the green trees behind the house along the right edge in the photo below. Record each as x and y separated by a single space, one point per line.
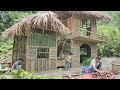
112 31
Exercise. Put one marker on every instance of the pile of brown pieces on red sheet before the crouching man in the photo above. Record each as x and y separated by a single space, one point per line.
103 75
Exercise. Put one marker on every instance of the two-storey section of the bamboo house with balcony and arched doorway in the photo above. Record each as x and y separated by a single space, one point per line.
83 25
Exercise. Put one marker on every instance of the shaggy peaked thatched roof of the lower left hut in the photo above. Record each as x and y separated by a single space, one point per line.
39 20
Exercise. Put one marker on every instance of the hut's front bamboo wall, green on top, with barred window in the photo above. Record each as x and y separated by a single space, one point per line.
42 52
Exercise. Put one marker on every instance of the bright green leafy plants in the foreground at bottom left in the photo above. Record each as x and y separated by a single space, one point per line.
22 74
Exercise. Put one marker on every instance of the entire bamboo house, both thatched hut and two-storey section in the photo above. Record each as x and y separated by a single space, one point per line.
41 39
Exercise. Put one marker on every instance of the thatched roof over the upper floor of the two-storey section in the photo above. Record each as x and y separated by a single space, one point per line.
96 14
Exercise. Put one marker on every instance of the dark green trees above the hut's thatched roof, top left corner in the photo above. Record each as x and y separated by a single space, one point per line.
8 18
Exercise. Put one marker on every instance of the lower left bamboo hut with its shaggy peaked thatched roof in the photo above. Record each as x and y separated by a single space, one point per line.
35 40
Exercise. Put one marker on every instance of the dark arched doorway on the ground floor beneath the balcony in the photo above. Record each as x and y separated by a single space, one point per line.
85 52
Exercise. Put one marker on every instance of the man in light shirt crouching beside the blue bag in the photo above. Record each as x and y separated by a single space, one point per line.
96 65
